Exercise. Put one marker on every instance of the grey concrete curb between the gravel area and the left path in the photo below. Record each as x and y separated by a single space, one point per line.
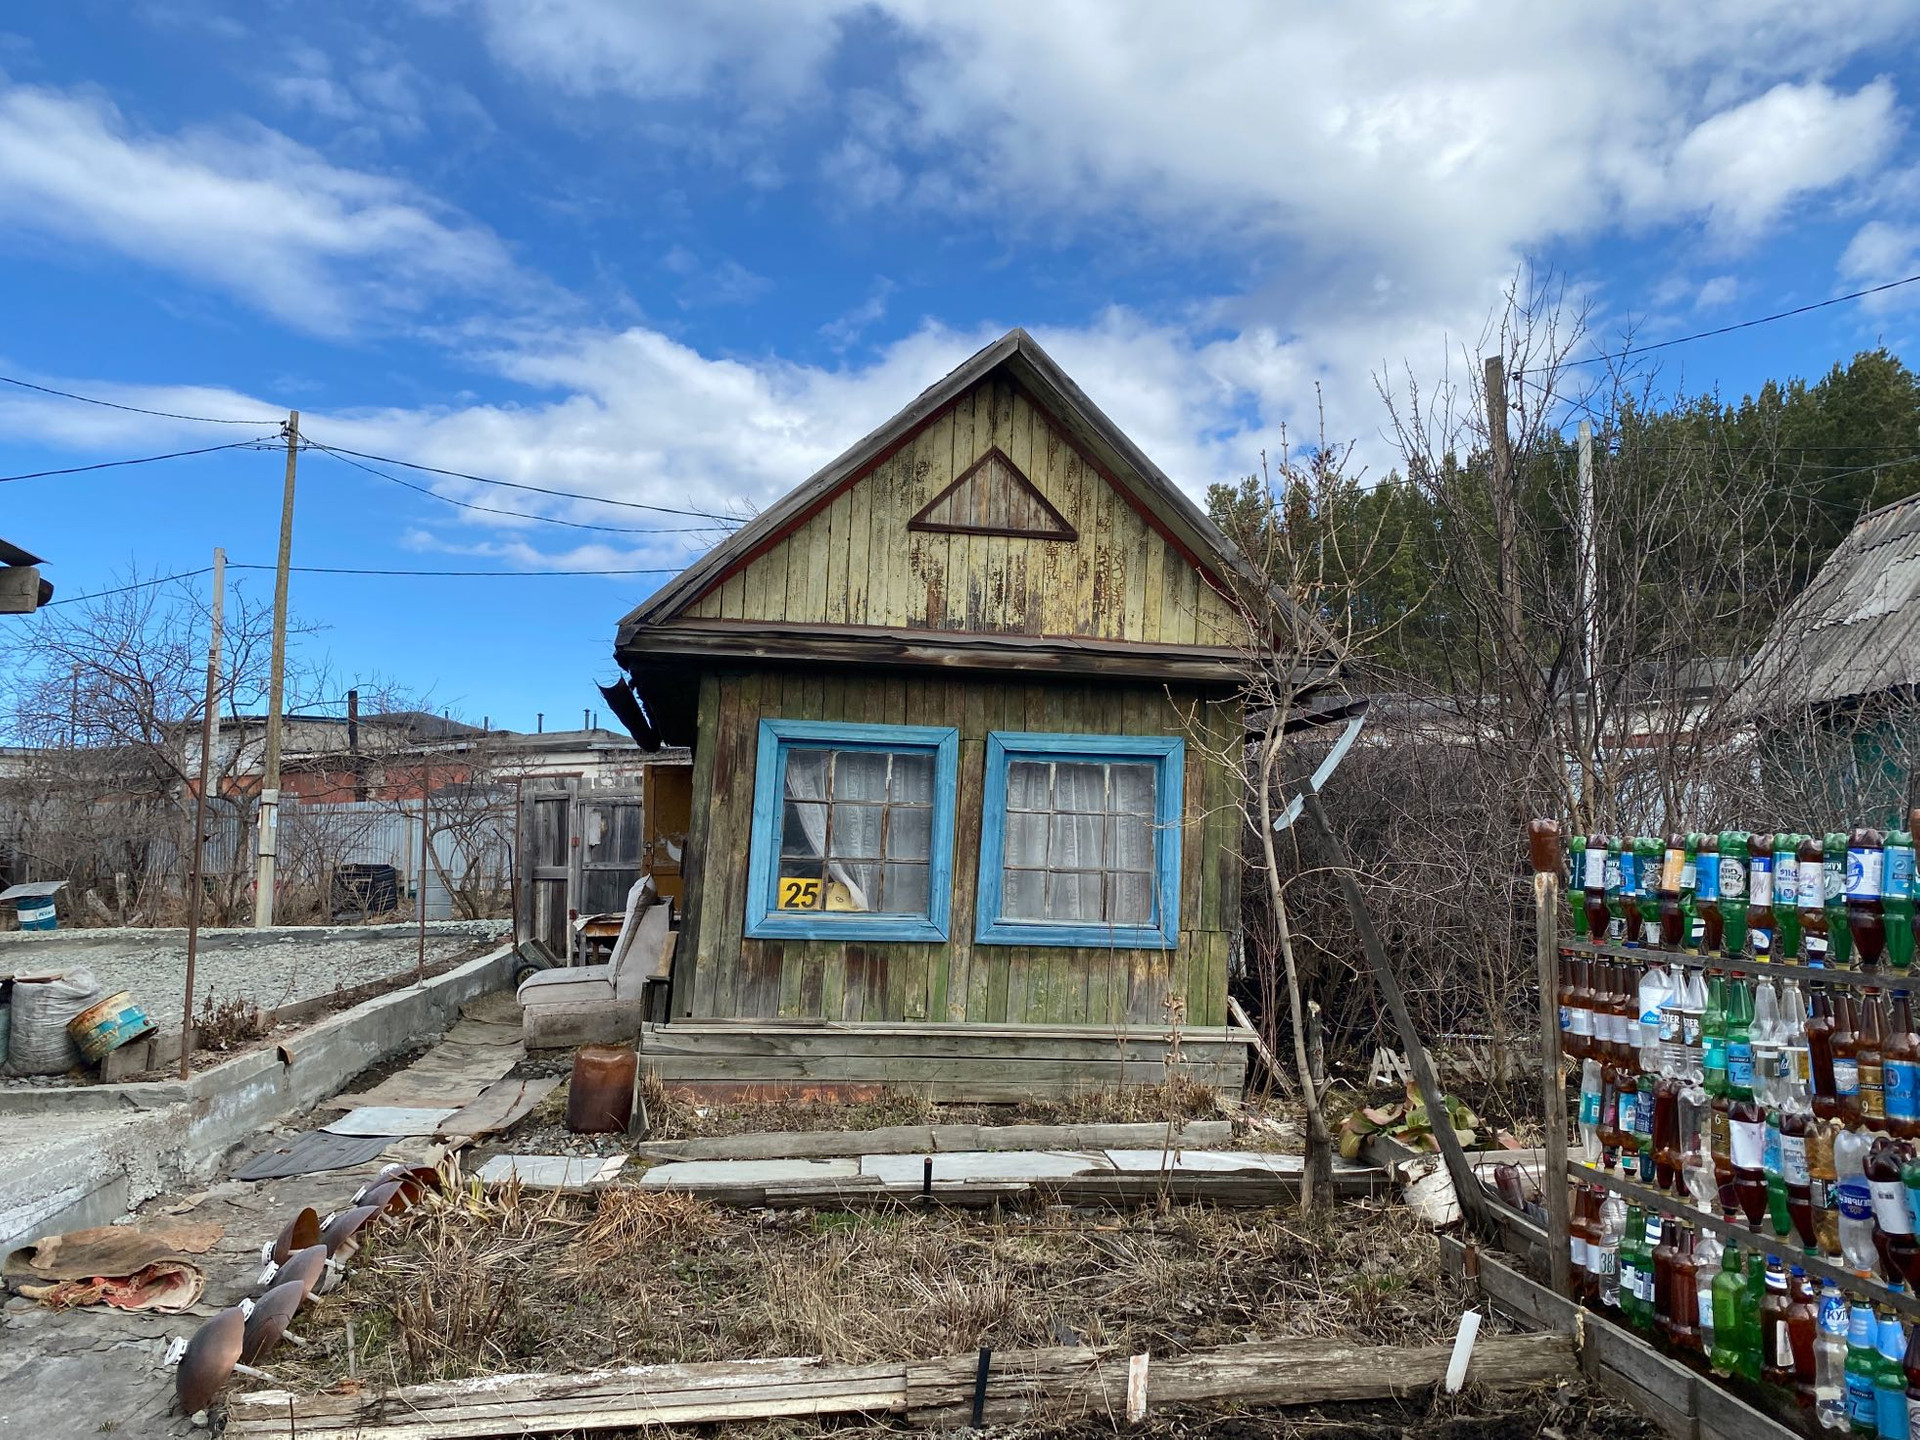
122 1145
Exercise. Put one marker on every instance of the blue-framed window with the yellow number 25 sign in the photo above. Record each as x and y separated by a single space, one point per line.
853 832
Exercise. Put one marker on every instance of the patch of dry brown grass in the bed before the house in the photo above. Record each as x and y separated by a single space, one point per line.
485 1285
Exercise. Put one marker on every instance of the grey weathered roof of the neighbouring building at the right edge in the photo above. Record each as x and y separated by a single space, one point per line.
1856 631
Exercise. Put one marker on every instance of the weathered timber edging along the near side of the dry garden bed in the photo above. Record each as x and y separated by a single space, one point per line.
1068 1381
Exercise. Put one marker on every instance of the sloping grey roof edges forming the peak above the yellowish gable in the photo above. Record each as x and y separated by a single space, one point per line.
1122 464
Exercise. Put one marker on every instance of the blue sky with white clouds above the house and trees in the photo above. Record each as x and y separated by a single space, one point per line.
684 254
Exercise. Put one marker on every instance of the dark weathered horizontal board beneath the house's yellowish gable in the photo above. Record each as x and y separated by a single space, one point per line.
938 650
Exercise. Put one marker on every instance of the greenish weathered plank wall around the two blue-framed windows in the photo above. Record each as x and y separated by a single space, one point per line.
721 974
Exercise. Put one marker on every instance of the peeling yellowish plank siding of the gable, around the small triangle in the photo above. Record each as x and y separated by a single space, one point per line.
857 564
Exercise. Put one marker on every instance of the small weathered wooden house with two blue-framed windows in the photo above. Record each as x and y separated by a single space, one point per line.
967 756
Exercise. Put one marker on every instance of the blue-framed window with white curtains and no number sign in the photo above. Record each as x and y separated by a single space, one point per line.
1082 842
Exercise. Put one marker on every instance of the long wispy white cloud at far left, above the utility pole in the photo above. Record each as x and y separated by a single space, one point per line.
241 210
